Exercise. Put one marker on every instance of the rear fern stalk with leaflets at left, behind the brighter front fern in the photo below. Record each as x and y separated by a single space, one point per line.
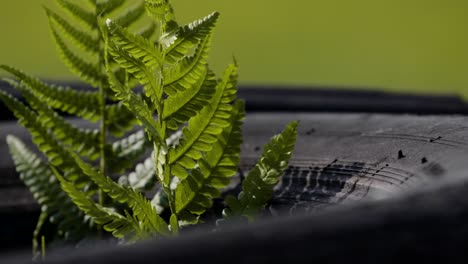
81 46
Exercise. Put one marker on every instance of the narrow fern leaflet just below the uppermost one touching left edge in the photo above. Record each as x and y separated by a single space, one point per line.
85 141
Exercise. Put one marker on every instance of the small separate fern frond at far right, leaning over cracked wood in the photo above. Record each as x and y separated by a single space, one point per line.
257 187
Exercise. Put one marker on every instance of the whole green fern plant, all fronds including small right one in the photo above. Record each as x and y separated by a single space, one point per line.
191 119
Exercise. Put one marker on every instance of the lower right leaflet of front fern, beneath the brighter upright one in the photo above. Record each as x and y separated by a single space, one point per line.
195 193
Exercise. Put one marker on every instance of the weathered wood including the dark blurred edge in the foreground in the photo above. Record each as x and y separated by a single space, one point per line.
401 181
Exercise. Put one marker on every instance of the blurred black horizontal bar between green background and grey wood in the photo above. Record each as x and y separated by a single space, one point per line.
323 99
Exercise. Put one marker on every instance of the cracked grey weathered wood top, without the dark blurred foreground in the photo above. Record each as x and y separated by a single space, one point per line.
339 158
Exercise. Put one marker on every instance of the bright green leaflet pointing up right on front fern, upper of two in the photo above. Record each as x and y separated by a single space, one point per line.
203 129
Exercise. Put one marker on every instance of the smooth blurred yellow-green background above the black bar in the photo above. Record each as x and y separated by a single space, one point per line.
399 45
